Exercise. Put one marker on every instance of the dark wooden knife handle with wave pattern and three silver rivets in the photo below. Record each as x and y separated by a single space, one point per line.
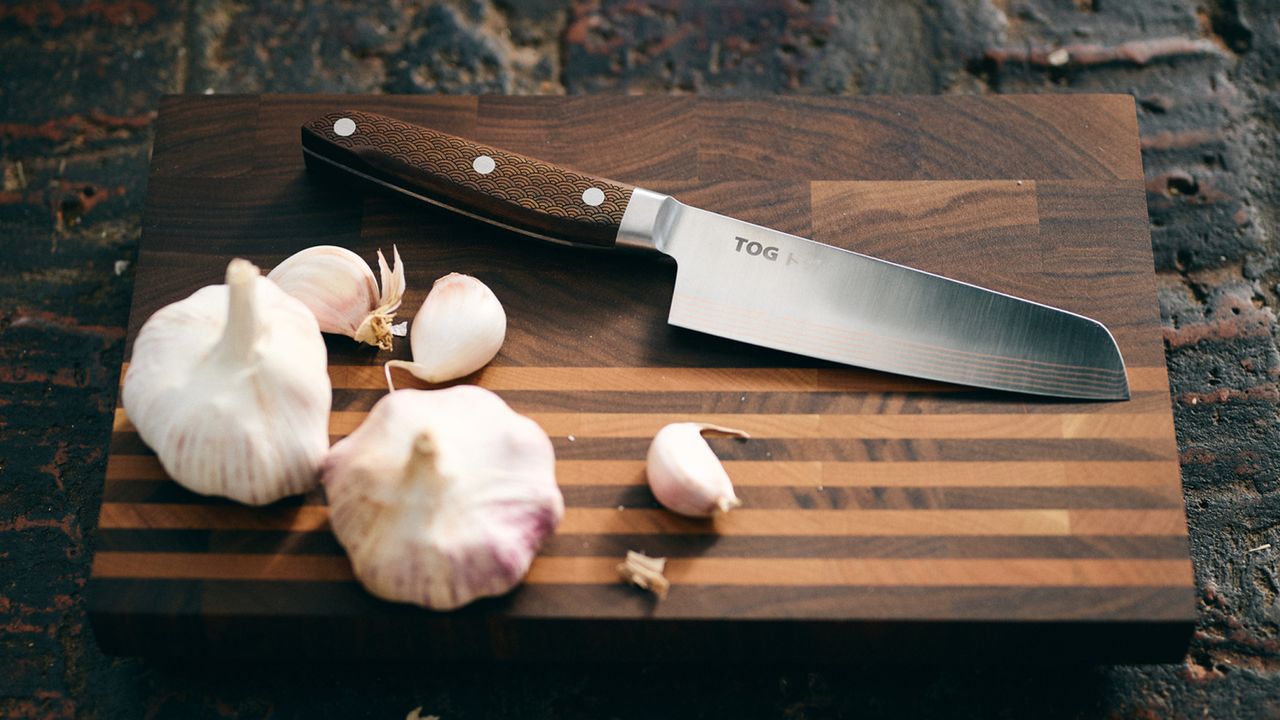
492 185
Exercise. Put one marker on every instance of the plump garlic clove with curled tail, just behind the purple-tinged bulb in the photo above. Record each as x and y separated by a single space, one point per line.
459 330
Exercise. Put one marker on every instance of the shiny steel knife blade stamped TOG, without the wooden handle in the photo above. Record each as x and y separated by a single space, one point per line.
765 288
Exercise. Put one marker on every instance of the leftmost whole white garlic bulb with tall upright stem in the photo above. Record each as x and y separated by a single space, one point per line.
231 389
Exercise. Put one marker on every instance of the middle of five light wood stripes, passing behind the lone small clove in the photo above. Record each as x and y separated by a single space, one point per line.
780 473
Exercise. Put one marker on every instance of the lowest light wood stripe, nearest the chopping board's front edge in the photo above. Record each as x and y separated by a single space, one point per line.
828 572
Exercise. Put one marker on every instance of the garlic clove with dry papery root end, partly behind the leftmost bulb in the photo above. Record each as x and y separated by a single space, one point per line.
339 286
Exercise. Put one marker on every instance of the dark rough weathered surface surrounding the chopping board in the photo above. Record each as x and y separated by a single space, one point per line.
80 83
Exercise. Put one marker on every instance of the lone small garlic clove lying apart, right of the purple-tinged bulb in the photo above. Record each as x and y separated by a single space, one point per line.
684 473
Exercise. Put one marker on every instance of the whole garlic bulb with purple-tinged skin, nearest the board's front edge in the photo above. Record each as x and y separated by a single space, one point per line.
445 496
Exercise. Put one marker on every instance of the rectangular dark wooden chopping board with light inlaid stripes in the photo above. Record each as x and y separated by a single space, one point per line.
883 517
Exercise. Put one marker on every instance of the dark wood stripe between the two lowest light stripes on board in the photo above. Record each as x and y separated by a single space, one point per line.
323 543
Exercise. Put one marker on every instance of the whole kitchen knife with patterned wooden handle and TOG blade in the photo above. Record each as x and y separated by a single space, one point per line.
738 280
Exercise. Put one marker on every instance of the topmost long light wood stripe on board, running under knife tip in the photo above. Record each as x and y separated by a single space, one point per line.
688 380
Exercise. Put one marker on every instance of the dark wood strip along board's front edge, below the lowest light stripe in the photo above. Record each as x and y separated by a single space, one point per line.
282 601
